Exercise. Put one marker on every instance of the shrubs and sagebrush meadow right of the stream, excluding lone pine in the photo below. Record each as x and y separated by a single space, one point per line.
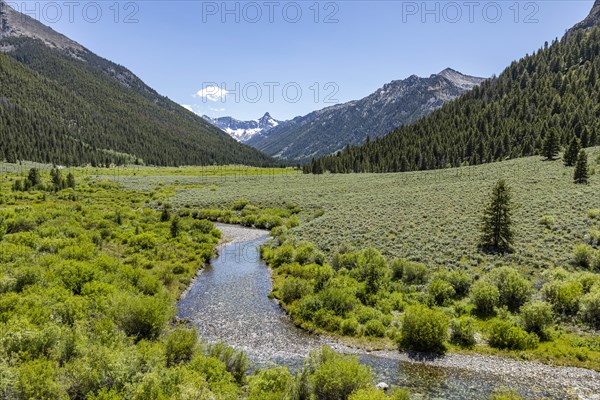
413 276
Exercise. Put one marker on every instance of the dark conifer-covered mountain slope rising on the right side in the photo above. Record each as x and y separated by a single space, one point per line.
556 88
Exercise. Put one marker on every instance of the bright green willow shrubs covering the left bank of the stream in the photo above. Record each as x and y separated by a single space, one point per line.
89 276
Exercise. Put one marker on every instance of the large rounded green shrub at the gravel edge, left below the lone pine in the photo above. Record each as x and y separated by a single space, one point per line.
424 329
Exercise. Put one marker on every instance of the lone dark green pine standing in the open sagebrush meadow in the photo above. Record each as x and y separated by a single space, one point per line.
497 222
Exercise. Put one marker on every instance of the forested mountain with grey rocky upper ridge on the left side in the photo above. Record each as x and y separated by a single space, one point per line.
61 103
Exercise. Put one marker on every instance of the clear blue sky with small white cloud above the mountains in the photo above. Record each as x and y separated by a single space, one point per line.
289 58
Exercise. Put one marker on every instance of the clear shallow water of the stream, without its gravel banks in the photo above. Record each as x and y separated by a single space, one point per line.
229 302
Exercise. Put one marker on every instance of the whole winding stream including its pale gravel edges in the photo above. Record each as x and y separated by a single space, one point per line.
229 302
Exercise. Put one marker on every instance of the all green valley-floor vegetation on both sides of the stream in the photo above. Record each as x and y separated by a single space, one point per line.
90 274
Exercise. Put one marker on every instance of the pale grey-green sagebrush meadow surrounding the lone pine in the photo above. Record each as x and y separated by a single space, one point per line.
431 216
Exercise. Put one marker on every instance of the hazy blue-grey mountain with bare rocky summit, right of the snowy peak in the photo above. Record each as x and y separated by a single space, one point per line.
328 130
